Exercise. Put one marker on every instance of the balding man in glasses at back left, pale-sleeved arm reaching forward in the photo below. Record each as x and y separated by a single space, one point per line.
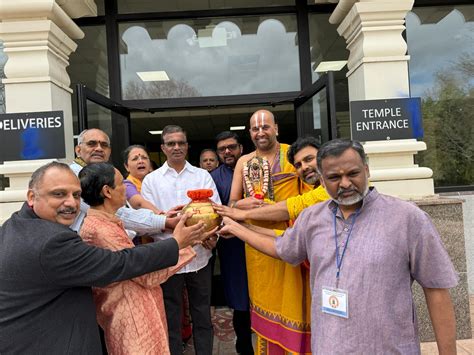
93 146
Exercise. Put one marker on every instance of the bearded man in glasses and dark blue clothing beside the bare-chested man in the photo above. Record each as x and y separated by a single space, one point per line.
232 251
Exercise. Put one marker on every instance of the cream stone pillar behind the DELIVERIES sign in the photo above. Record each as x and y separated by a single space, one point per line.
38 38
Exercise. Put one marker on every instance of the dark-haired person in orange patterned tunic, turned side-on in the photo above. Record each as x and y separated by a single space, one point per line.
130 312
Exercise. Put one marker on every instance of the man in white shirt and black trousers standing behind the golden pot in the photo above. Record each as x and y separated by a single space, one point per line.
166 187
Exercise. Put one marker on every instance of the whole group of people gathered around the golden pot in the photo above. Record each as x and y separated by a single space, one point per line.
302 235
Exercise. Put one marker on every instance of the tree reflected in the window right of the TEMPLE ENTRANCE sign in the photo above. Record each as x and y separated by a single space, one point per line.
448 116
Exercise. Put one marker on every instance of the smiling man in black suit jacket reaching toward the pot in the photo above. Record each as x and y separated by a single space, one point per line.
46 271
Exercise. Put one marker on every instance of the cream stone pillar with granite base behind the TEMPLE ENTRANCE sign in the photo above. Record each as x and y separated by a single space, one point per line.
378 69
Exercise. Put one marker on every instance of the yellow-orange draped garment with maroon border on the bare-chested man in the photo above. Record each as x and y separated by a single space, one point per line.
279 292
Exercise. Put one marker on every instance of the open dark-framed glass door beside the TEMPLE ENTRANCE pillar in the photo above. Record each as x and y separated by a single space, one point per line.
316 110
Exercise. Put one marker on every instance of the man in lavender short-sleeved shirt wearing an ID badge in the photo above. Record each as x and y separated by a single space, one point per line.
365 250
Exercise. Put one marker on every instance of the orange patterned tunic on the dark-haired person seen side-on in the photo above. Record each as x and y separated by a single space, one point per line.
130 312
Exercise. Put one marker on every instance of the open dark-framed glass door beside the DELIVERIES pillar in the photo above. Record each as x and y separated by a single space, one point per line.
97 111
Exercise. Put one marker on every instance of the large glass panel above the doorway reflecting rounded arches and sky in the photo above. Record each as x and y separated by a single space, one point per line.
209 57
